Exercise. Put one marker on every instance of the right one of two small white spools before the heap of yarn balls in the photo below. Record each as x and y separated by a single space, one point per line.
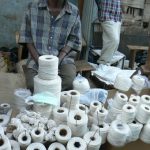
37 134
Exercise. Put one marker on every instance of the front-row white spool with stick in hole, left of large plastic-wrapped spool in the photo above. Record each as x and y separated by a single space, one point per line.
93 140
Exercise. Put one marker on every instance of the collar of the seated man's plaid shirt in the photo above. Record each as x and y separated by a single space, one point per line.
67 7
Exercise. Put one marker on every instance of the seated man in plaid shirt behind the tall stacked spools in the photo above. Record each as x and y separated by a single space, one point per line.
52 27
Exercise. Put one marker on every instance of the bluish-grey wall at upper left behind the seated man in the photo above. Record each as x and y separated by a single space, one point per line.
11 12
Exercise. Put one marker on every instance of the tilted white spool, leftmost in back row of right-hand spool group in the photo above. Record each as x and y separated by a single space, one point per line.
120 100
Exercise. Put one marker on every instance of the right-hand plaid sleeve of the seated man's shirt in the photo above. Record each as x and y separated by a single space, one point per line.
75 38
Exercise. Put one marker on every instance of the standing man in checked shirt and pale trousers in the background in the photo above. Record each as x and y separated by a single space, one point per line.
110 16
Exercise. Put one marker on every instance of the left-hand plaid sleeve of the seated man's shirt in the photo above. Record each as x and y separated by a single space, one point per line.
25 30
